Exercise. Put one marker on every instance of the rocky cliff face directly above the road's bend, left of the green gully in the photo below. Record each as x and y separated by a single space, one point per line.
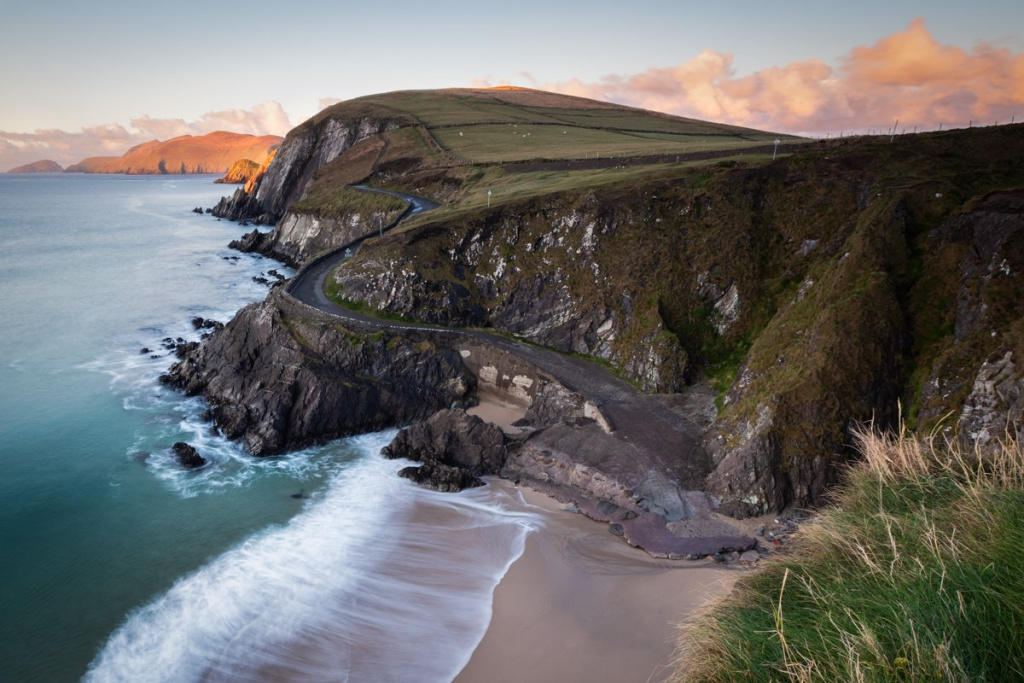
539 272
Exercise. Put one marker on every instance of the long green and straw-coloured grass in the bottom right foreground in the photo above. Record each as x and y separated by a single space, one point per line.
914 575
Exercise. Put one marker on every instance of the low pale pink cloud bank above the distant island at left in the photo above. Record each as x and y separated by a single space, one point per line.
114 140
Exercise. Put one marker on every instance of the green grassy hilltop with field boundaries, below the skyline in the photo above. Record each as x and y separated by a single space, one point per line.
446 137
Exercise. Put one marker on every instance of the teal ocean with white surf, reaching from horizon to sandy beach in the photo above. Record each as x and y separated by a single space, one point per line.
116 565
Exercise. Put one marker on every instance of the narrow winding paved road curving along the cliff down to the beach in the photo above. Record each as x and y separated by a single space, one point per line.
639 420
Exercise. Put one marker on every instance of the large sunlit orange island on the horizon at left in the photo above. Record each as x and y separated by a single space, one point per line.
214 153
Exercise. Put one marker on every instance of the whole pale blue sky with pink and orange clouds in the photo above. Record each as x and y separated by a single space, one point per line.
82 79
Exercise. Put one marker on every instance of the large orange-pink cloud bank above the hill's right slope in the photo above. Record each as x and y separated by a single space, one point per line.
908 76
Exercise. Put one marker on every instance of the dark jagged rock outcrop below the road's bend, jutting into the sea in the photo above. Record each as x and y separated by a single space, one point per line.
279 378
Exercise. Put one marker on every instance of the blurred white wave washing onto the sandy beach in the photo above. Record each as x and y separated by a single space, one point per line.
377 581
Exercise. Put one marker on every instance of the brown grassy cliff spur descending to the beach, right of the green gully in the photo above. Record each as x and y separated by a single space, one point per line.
817 369
